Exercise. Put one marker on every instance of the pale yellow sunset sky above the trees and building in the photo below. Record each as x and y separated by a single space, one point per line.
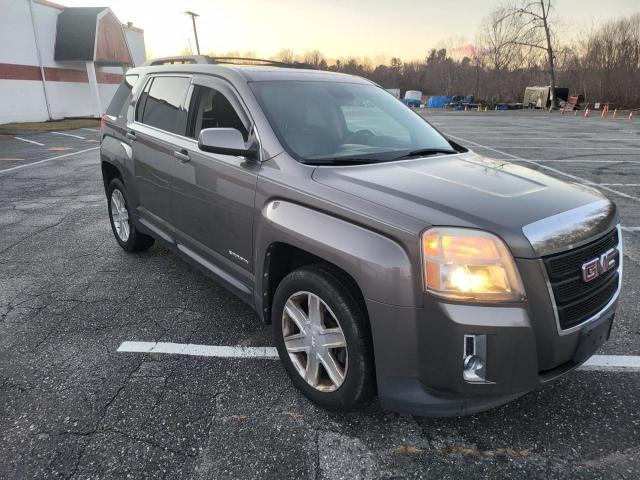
377 29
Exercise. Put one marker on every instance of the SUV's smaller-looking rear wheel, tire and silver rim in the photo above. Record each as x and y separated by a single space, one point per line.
127 236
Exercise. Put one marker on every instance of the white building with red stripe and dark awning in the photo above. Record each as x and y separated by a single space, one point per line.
58 62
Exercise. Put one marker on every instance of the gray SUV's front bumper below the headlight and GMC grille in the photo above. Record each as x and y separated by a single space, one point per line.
419 354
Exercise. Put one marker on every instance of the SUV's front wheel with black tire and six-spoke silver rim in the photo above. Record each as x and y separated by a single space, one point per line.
323 338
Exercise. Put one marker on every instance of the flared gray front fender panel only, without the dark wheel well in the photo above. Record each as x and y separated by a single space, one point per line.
379 265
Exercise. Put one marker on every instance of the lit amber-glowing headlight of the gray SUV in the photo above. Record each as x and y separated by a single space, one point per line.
466 264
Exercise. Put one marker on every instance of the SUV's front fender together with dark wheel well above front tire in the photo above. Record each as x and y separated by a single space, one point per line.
291 235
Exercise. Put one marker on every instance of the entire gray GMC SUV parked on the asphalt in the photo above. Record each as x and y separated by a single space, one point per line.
388 258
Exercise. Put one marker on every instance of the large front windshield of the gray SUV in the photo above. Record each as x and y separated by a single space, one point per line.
332 122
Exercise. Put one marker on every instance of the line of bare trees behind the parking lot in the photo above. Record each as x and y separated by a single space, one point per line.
517 46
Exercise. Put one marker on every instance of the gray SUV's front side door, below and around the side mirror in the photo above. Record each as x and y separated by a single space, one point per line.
214 193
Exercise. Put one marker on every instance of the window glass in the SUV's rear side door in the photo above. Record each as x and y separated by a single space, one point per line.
161 104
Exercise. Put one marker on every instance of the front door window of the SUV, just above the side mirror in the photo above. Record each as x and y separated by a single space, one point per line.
211 109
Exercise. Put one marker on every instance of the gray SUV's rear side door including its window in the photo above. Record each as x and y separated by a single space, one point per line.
158 129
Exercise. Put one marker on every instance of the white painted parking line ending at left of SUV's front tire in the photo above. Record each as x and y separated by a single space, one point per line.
268 353
